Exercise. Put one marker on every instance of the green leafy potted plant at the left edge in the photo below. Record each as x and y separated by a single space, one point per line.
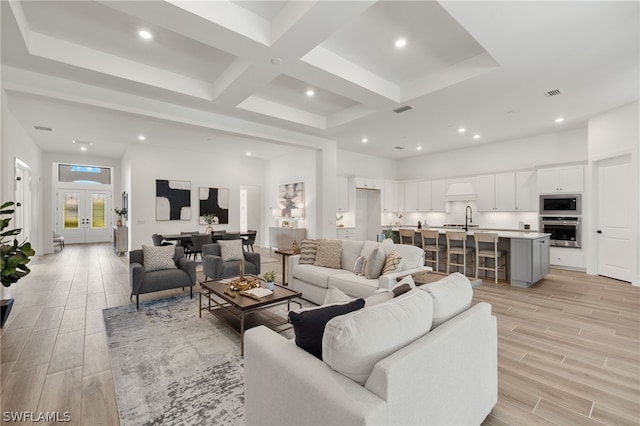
14 257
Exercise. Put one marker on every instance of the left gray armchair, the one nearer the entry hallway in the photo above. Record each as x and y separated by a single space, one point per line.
147 282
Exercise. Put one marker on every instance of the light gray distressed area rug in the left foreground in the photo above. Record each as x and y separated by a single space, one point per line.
171 367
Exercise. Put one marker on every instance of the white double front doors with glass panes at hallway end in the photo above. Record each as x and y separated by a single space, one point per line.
84 216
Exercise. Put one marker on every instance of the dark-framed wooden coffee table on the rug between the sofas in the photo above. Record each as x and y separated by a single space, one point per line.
241 313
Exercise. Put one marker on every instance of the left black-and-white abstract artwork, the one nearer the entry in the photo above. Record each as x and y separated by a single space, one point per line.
173 199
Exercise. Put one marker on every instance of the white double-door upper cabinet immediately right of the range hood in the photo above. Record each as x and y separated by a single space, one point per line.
496 192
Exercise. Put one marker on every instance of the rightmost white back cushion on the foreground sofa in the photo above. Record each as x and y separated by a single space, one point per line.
451 296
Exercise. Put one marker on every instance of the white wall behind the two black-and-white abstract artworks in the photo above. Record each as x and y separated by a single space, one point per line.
201 169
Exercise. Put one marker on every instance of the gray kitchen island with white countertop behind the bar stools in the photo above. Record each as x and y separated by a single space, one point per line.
527 251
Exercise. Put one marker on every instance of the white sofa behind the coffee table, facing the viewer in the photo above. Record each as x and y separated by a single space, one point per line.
314 281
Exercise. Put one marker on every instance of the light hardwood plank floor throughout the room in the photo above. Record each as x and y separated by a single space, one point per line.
568 348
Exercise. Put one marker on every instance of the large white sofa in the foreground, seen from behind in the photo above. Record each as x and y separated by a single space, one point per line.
446 376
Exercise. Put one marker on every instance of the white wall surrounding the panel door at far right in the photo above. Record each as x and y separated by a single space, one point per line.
613 134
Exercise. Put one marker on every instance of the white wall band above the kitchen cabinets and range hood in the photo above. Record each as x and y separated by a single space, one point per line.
528 153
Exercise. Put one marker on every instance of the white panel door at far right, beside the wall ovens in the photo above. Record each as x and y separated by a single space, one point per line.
615 203
